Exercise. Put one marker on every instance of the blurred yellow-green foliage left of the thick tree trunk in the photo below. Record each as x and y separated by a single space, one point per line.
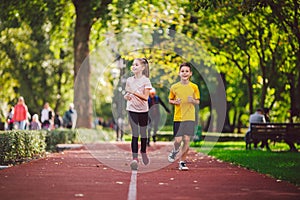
31 41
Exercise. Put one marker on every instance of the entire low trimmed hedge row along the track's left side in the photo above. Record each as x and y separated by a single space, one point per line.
19 146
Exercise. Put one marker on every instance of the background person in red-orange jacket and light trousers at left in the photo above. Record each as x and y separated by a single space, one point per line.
20 114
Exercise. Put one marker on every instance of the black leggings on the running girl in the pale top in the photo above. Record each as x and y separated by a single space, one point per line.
138 123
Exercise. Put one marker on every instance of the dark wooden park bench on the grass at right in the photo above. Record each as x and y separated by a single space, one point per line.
287 132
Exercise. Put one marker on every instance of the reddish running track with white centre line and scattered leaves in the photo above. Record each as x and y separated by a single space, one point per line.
93 172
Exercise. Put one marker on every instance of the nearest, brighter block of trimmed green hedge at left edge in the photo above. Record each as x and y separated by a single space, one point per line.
20 146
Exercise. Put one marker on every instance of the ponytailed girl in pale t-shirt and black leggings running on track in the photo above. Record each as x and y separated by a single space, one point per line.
137 93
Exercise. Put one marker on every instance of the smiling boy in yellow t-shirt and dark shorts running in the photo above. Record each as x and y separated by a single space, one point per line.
184 95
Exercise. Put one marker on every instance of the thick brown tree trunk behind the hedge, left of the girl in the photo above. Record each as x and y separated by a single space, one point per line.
82 71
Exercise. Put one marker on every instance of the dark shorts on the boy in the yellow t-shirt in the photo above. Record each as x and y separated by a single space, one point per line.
184 128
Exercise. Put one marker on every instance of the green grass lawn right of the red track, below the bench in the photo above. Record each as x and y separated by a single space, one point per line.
278 163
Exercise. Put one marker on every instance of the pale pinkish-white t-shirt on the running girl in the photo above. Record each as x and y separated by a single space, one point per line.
138 85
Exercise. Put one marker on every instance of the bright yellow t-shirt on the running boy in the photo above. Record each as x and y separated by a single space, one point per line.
185 111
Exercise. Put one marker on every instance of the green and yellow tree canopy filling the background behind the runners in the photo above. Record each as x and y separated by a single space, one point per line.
254 45
